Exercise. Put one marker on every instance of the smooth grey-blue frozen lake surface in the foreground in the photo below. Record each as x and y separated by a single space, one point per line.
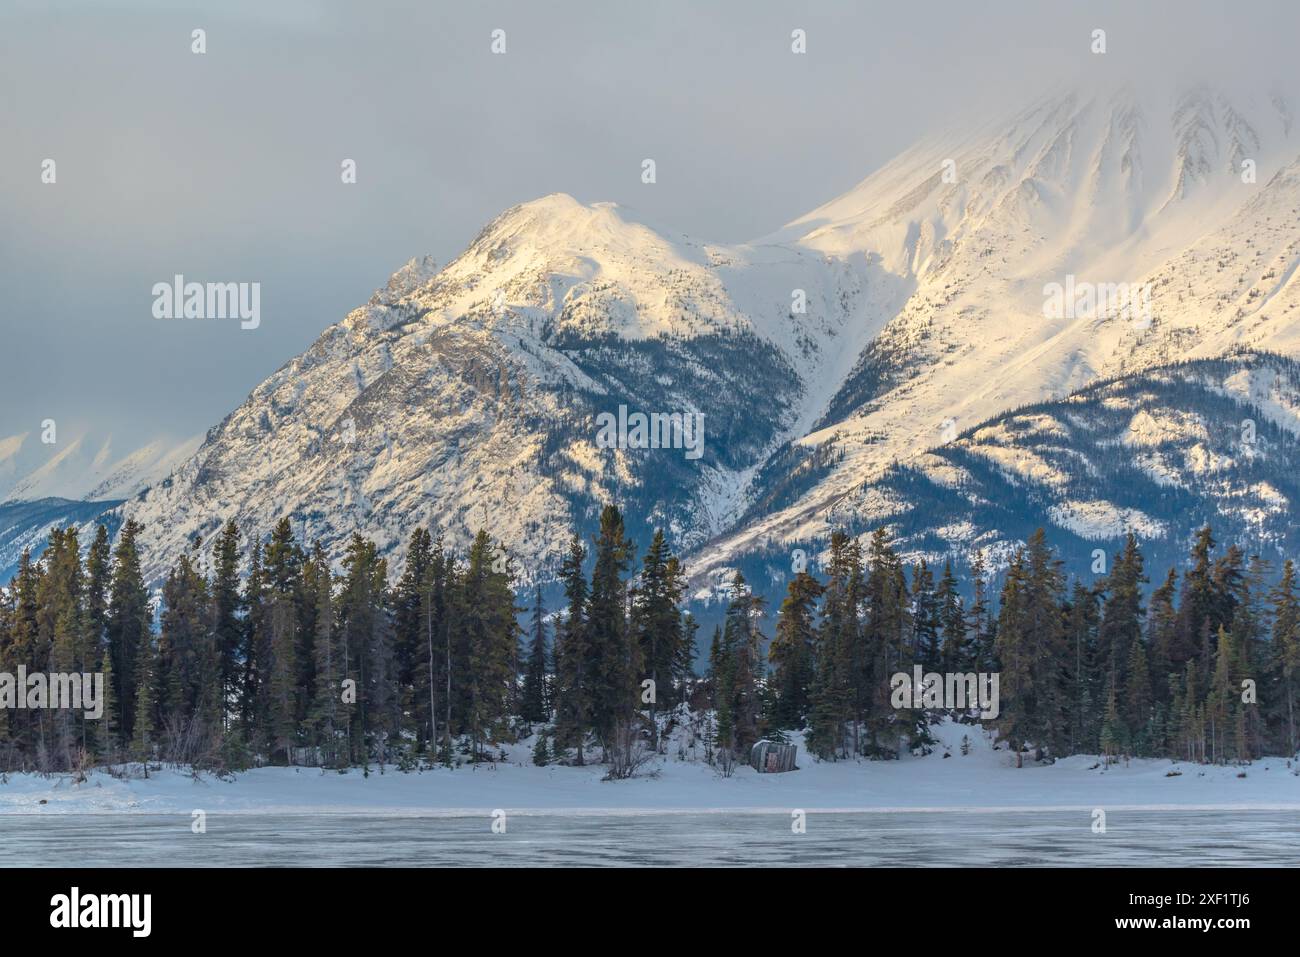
1151 838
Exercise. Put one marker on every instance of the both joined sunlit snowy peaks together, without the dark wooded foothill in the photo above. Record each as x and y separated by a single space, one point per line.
824 358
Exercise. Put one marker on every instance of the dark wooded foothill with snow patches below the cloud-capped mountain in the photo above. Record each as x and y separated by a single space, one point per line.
1158 453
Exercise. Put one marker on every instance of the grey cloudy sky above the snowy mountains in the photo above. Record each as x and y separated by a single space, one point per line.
226 167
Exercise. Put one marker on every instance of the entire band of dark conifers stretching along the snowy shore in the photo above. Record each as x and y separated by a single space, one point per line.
258 652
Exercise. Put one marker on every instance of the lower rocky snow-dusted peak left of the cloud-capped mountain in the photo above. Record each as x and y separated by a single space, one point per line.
470 399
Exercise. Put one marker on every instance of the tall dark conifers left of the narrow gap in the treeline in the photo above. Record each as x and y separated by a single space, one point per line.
263 655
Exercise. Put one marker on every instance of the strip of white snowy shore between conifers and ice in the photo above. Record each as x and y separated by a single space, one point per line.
983 781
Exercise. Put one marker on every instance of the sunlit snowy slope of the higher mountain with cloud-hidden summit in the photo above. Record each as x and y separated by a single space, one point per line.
1095 190
